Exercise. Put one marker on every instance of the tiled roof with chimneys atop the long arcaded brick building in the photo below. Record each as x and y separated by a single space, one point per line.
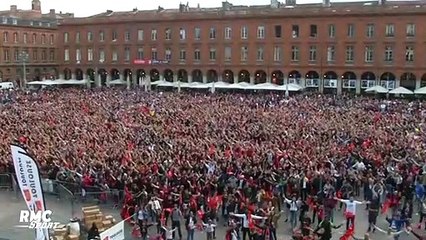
274 10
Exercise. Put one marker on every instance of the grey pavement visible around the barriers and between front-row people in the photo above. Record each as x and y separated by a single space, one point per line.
63 209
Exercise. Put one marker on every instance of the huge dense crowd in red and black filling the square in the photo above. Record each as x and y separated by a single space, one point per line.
186 160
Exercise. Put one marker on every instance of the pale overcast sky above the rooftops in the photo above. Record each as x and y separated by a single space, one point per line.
82 8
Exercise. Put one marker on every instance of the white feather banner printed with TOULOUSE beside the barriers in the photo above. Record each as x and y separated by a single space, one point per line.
28 178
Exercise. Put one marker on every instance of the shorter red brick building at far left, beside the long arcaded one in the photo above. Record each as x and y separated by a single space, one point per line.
28 36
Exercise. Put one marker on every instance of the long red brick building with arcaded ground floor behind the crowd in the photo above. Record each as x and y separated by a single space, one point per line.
326 47
